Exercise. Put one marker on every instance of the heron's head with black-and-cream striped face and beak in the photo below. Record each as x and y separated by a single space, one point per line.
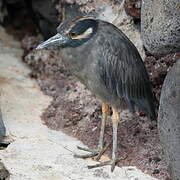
72 33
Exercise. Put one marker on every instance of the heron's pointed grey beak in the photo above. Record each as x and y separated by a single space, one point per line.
56 40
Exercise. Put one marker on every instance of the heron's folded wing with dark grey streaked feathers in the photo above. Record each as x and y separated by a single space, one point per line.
123 73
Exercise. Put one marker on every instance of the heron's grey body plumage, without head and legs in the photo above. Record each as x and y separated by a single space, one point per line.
112 62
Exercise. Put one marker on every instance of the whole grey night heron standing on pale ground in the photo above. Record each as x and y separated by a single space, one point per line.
106 61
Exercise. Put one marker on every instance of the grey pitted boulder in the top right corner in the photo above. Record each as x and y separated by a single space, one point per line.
160 26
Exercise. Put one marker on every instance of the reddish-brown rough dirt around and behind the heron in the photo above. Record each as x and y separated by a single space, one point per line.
75 111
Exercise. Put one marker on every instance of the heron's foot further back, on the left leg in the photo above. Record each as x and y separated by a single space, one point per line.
96 154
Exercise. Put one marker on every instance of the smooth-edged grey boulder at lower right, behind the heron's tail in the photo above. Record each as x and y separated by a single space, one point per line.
169 119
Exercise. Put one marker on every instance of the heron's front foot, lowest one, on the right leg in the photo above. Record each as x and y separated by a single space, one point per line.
111 162
